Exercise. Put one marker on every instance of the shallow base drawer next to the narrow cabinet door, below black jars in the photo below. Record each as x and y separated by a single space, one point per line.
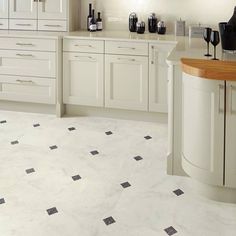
126 48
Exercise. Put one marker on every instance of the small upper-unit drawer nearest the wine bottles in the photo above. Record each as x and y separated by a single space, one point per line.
52 25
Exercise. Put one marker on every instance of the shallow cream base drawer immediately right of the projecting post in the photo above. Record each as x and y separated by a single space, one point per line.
82 45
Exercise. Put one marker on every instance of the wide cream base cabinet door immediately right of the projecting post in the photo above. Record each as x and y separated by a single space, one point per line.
83 79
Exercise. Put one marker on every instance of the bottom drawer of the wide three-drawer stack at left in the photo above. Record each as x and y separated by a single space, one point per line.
27 89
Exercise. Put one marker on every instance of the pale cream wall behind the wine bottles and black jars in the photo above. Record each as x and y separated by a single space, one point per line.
115 12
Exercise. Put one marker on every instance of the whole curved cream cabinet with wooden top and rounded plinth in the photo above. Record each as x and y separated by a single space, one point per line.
209 126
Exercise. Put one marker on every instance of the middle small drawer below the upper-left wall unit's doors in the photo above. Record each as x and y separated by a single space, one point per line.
23 24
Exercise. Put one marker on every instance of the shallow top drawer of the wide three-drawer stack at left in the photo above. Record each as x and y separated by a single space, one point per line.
27 44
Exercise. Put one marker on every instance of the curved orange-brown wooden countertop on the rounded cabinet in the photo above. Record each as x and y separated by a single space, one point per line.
210 69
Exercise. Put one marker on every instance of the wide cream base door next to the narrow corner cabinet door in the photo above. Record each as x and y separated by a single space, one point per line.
126 82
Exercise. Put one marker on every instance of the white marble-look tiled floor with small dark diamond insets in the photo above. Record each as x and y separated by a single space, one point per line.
83 176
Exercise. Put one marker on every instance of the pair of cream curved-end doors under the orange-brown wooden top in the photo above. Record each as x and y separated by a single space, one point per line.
209 130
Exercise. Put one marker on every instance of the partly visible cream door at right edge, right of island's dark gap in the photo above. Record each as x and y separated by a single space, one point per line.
230 145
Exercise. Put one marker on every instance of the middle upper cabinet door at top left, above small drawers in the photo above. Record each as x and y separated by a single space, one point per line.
23 9
